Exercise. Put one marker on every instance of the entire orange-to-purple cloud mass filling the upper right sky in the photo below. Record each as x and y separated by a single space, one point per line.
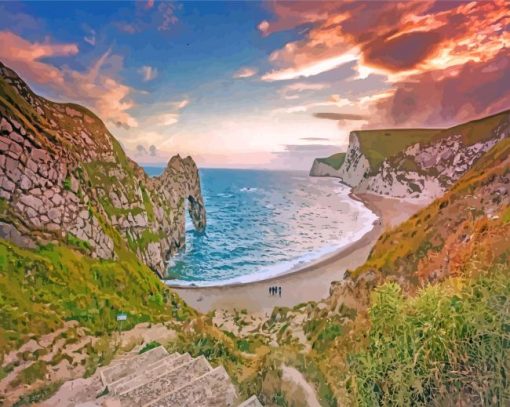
433 53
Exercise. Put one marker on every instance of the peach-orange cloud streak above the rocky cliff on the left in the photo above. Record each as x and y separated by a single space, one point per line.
93 88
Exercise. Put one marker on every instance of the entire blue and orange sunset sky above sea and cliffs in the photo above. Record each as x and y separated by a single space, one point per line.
261 84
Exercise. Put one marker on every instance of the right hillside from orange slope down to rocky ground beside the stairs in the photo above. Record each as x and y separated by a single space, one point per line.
423 322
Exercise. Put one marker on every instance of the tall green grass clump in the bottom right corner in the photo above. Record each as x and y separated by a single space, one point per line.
450 343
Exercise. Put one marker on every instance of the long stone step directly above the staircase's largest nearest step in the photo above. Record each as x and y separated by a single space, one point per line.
166 383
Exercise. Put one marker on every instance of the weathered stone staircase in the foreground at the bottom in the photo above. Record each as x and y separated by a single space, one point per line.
158 379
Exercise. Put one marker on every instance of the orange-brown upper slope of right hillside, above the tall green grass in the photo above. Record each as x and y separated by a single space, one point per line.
433 230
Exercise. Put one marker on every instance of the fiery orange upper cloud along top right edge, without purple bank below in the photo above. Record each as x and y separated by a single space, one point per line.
391 36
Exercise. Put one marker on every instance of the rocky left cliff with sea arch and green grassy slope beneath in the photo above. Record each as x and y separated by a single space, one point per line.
83 232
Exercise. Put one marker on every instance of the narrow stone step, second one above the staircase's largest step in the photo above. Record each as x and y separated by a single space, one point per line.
156 370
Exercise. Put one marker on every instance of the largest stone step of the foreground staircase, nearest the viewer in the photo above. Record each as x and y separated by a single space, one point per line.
213 389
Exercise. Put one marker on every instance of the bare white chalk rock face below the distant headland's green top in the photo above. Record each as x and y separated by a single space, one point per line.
423 171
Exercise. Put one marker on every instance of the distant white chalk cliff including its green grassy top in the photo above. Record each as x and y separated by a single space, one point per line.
418 164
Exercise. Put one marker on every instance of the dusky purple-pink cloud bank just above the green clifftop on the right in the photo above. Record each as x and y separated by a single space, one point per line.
448 96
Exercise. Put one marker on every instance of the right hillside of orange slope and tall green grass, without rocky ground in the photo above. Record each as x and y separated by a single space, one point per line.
437 290
